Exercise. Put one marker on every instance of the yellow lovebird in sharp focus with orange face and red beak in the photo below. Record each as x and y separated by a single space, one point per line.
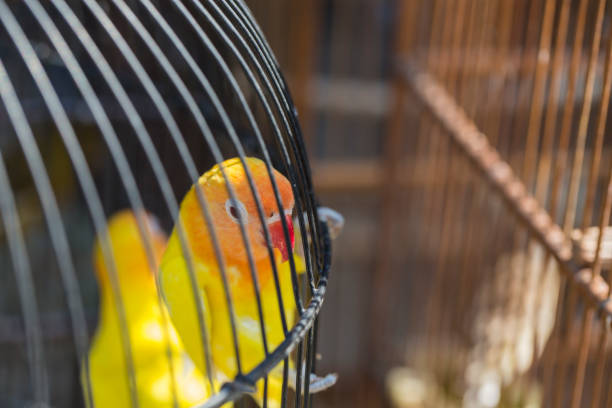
225 214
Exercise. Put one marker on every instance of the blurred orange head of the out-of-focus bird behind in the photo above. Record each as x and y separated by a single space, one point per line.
129 251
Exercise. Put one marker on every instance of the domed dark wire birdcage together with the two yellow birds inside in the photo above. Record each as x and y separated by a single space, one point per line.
117 105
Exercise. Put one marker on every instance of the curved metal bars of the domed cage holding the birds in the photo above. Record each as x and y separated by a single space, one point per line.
243 40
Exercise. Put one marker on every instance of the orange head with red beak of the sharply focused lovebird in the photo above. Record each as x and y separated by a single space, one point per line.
227 213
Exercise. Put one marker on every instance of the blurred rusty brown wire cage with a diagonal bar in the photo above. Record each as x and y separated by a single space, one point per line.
504 105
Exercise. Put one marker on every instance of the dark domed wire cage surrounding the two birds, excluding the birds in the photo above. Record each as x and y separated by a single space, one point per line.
112 105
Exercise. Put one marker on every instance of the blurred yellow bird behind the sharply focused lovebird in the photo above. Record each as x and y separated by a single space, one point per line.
149 328
